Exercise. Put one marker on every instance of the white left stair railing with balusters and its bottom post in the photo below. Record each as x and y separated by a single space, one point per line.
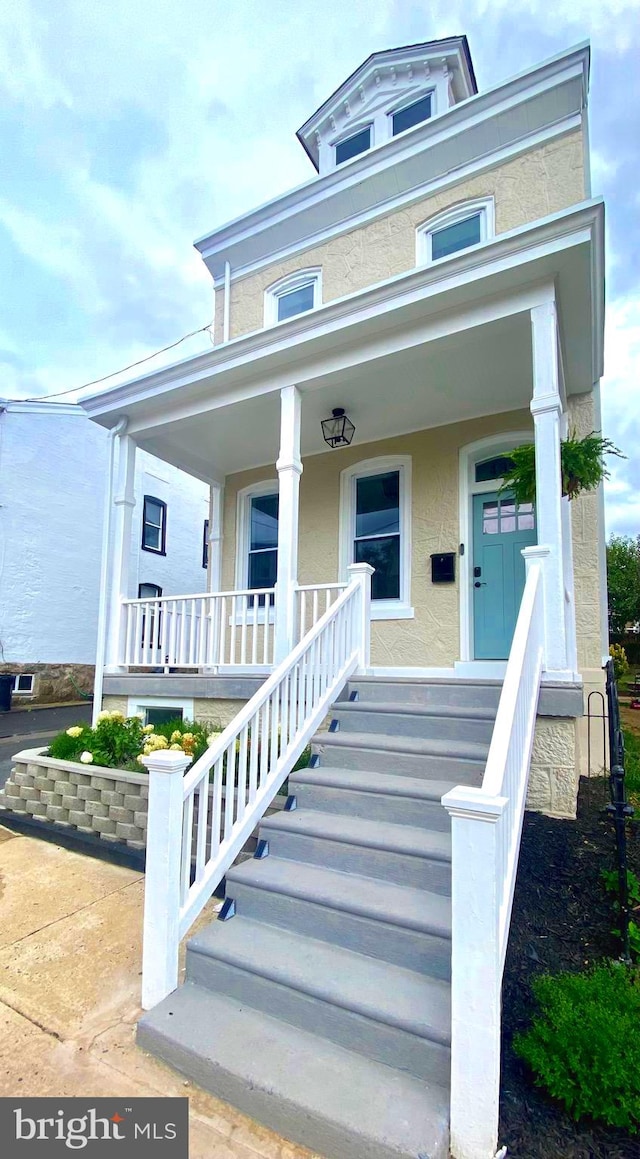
199 823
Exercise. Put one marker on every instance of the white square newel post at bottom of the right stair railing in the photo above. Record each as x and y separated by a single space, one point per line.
476 971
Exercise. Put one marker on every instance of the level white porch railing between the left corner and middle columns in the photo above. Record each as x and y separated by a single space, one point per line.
205 631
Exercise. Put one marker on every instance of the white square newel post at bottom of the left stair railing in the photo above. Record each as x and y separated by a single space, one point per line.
163 876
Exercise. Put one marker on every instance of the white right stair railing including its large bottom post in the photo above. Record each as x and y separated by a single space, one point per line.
486 827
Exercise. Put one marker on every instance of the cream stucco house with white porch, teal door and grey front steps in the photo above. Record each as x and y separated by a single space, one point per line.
386 336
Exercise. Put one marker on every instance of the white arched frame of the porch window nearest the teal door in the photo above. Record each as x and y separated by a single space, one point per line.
381 609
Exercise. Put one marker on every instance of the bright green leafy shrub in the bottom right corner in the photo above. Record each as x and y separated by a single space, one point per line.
584 1046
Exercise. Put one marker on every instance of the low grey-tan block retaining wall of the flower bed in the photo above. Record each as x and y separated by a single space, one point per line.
107 803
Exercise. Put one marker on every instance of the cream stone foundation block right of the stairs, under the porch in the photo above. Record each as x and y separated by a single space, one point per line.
555 768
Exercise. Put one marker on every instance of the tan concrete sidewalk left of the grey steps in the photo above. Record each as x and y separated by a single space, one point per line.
70 983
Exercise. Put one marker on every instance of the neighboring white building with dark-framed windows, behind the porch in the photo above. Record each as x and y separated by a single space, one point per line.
53 469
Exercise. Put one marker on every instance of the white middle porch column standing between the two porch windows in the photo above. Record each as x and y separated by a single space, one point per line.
289 468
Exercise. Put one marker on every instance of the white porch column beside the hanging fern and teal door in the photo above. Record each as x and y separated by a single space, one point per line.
547 409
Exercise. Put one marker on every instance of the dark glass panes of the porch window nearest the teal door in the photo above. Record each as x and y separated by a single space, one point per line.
377 540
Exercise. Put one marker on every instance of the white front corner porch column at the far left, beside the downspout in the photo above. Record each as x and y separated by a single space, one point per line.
125 501
